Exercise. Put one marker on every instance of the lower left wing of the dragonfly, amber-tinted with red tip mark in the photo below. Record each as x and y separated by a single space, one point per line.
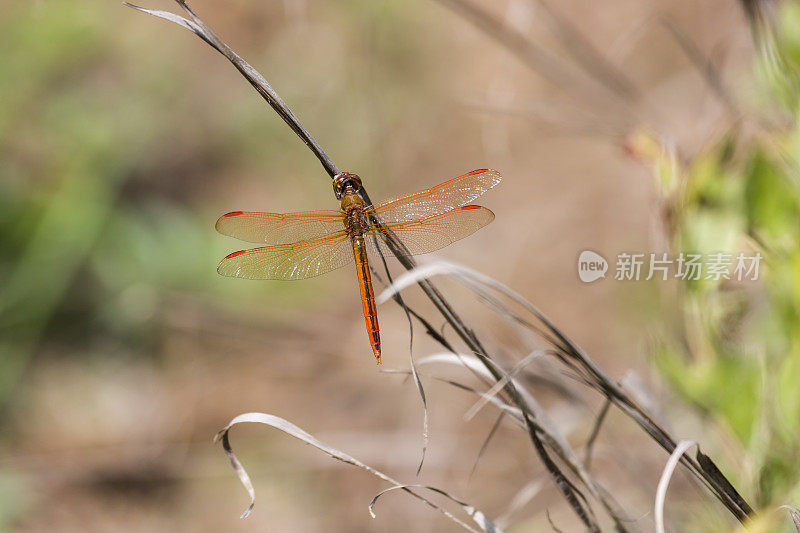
290 261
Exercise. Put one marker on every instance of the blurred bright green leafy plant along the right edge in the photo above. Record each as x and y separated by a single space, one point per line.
736 352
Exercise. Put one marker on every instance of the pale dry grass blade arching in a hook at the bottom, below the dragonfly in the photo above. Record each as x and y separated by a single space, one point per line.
290 429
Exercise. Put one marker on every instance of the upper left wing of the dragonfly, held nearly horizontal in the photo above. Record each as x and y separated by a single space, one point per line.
280 228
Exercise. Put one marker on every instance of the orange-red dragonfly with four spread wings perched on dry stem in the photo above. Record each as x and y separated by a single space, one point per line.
309 243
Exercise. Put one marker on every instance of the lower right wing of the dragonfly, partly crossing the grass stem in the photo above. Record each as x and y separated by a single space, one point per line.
431 233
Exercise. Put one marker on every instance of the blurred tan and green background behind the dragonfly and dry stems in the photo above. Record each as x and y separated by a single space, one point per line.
123 138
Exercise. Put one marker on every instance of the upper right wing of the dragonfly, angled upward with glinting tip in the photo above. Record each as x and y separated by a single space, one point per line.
444 197
